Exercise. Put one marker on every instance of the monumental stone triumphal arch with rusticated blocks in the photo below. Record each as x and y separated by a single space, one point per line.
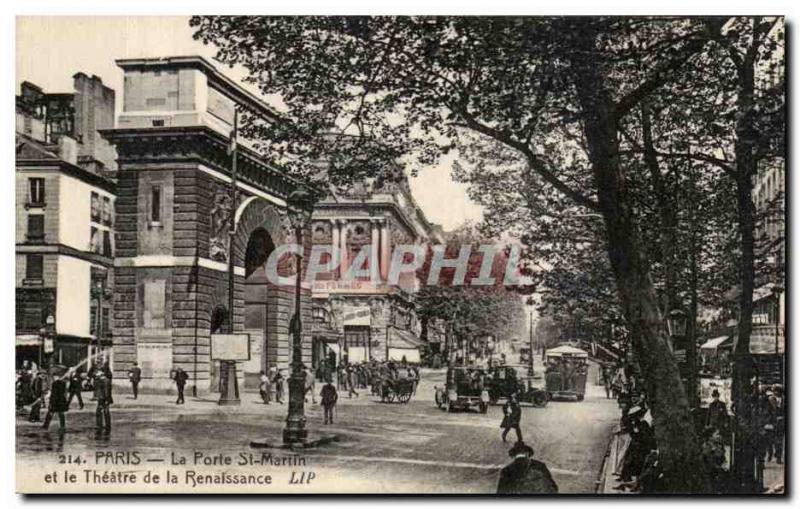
171 266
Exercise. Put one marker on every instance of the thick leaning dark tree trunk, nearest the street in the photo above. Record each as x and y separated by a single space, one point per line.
678 447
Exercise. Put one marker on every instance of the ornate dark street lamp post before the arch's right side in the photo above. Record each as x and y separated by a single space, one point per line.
299 208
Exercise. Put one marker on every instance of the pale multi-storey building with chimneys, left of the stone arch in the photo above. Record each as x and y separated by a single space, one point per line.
64 222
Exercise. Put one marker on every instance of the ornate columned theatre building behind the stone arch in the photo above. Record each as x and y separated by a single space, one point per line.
368 317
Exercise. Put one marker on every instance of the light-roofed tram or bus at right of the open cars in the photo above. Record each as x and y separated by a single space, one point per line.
565 374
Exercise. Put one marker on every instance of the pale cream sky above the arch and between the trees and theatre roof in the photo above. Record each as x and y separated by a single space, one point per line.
50 50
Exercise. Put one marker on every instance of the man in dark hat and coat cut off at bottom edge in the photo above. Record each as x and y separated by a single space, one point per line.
525 475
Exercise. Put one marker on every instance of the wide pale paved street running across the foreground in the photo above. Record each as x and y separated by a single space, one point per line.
378 448
